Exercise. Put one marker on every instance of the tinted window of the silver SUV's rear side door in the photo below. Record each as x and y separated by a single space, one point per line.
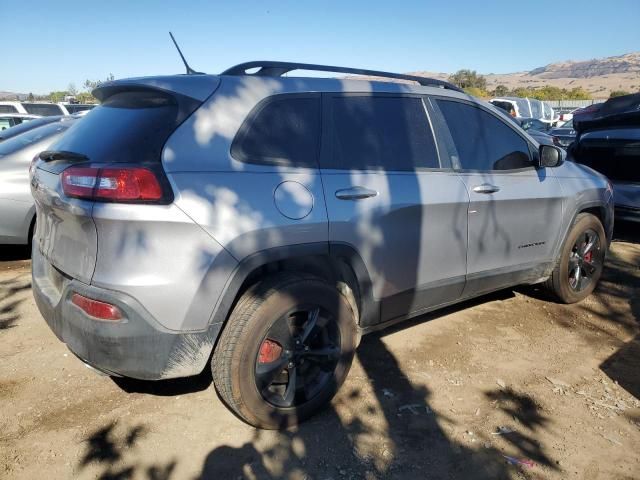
392 133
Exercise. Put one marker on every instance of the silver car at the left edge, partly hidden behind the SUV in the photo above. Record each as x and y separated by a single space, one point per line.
17 210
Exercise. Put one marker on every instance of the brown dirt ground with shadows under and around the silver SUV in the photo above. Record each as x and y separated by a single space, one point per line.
449 395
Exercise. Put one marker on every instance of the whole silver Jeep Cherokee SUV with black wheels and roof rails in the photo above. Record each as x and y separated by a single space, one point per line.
261 223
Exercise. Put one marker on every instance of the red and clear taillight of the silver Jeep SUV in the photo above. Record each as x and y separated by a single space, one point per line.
125 184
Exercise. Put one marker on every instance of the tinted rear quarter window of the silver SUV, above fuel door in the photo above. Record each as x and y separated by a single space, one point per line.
283 131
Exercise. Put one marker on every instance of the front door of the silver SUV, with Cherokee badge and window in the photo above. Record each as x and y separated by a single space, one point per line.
515 209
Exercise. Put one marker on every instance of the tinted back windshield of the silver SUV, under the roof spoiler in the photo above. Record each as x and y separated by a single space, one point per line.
129 127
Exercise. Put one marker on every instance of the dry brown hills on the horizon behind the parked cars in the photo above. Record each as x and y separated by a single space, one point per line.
598 76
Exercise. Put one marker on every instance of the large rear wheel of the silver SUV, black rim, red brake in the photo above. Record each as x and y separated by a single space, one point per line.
285 350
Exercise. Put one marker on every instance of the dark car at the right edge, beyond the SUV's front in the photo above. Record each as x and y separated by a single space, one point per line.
610 143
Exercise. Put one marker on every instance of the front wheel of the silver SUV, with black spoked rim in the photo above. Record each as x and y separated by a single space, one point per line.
581 260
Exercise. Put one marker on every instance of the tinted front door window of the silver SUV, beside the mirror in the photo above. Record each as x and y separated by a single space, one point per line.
483 142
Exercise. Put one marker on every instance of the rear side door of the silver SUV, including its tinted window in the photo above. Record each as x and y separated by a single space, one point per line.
390 200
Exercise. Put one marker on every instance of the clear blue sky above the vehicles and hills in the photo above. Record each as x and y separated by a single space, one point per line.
48 44
